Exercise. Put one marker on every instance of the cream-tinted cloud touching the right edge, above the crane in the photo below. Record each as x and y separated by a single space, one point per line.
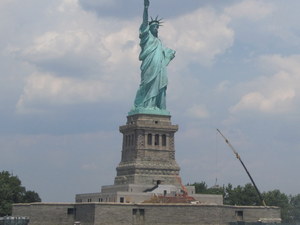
274 94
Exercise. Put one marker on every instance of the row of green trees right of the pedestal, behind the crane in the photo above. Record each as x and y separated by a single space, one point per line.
247 195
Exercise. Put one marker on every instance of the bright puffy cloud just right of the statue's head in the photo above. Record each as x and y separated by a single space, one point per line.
199 36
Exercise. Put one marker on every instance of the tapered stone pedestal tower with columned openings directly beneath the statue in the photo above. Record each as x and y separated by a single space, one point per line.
148 151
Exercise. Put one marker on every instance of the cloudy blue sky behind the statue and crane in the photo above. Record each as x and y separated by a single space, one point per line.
70 70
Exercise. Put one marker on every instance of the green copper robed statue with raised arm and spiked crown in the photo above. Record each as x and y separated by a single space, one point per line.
151 95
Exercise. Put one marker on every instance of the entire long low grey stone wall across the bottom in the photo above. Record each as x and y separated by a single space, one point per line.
141 214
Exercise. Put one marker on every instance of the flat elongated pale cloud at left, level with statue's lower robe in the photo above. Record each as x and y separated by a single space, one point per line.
47 89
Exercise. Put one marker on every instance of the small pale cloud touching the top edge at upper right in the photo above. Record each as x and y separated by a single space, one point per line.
250 9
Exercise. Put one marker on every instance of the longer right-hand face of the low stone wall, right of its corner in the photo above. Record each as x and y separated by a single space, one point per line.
164 214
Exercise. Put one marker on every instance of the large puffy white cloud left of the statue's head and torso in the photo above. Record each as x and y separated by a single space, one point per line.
82 44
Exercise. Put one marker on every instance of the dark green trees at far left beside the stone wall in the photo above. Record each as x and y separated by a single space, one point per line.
11 191
